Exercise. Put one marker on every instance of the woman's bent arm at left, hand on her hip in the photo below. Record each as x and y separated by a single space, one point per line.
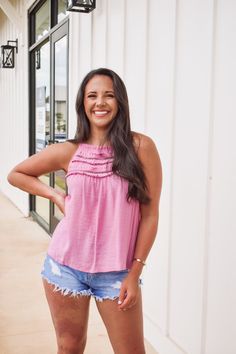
25 175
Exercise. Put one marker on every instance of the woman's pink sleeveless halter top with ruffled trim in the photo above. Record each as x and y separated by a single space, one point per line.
99 230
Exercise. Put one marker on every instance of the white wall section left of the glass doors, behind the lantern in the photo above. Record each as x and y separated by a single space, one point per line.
14 104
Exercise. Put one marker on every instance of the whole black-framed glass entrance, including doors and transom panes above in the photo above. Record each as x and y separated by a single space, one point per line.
48 66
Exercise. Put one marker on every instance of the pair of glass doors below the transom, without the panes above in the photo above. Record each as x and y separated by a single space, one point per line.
49 76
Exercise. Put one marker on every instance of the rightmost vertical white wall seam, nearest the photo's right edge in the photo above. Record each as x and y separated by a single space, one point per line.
208 182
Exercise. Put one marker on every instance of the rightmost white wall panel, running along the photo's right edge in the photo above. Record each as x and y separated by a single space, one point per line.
220 306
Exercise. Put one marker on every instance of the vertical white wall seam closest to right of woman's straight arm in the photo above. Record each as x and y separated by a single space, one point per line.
171 173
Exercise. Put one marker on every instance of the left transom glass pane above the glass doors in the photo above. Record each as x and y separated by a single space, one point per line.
42 22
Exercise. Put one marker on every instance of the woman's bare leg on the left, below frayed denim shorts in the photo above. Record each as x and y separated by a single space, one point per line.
70 319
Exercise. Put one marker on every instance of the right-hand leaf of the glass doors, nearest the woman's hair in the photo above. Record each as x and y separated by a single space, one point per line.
59 79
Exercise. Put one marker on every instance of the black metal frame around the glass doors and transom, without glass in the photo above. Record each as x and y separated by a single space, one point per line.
54 34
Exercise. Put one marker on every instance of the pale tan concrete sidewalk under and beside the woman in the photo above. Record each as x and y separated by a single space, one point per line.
25 322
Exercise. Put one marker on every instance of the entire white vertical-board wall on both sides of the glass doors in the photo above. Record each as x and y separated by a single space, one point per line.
177 59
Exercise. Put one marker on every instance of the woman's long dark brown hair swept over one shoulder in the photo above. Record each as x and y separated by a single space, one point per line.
126 163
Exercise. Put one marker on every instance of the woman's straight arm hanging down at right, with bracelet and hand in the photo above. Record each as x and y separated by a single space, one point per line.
151 163
